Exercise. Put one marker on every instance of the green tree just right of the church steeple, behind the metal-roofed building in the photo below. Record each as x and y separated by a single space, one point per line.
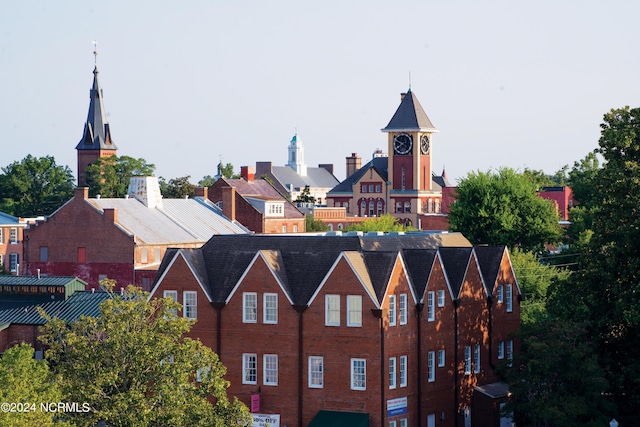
109 176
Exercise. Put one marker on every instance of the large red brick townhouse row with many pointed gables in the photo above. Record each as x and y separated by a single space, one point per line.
373 330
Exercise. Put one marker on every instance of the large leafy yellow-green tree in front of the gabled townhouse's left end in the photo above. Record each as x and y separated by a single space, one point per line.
134 365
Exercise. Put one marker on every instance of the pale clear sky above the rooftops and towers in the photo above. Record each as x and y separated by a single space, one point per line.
186 84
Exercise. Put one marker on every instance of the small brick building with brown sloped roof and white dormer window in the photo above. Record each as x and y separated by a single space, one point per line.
255 203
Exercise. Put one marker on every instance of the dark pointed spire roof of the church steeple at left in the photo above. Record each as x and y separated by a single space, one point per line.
97 135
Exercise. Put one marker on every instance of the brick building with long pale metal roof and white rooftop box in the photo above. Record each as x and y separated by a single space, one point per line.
121 239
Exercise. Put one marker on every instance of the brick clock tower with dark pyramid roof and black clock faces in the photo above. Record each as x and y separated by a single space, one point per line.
410 134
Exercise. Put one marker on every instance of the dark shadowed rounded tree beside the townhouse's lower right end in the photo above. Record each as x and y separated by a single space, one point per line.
556 379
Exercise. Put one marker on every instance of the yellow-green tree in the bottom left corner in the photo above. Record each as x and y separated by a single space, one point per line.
26 381
